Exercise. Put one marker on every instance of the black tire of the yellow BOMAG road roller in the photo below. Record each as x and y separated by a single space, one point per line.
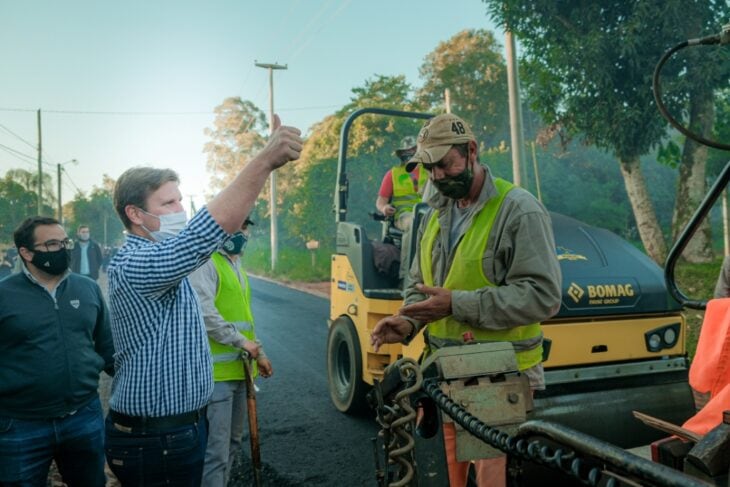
344 368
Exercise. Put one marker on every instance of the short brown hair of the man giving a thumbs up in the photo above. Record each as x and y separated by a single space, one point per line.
135 185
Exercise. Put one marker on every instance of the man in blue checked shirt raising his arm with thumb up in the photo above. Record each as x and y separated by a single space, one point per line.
156 429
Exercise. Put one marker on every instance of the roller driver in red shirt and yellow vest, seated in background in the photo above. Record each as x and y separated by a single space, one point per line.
401 190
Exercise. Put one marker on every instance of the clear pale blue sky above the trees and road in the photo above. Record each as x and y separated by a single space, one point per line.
123 84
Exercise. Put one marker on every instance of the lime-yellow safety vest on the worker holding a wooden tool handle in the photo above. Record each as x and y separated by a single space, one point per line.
233 304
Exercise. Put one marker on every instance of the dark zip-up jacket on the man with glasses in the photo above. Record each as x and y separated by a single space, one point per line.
51 349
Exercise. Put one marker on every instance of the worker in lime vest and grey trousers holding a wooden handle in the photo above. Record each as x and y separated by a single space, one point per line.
225 299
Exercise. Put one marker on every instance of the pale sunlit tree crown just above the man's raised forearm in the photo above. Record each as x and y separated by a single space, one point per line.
237 135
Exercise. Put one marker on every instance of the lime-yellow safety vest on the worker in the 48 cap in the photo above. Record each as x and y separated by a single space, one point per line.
467 273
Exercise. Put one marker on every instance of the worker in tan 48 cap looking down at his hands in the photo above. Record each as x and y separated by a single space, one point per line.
485 268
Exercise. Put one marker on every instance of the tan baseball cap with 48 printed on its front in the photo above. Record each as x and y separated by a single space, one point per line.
437 137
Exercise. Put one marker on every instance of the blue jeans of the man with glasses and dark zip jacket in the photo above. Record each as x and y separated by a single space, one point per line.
75 441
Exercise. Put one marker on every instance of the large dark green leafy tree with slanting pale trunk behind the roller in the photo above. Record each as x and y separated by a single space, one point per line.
588 68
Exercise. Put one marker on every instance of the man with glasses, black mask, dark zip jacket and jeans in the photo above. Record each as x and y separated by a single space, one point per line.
55 339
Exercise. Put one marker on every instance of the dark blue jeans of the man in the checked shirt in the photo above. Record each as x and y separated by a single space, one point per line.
164 457
